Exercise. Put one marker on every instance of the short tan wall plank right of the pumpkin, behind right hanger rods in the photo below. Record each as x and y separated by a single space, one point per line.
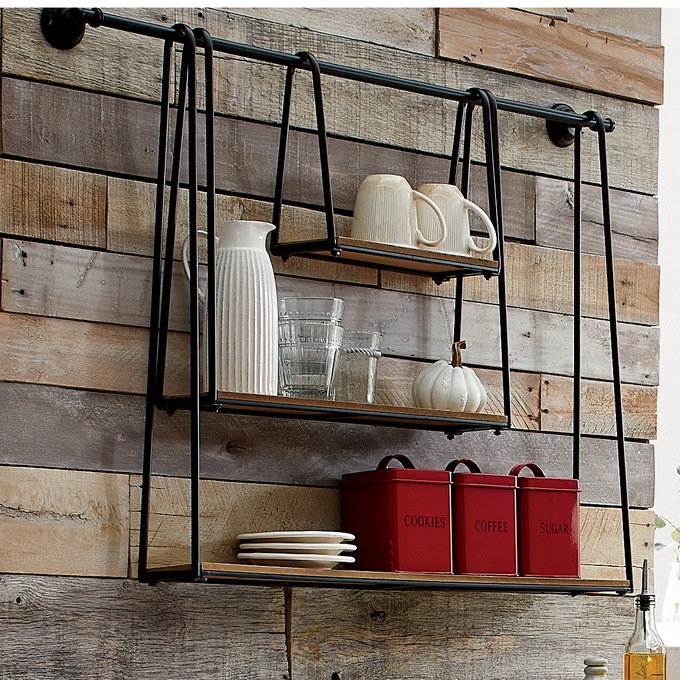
597 408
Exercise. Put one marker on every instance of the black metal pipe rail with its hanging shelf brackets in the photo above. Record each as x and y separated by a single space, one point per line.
65 28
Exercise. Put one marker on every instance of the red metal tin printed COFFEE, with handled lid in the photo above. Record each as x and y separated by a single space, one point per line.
484 522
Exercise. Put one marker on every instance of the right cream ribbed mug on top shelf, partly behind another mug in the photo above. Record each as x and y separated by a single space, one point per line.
455 207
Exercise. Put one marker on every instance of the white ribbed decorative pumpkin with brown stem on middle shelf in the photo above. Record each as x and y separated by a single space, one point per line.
449 386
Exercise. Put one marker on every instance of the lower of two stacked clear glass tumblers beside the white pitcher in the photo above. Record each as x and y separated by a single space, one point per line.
308 358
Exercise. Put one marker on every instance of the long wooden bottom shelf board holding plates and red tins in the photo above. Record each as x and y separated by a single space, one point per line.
348 578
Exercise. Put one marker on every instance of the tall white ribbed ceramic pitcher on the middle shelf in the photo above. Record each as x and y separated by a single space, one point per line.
246 309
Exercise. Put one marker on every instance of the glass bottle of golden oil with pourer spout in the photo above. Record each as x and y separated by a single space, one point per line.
645 655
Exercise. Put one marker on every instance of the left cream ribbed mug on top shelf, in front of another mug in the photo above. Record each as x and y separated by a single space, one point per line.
385 212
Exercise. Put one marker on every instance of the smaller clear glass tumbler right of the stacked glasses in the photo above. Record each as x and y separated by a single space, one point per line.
358 369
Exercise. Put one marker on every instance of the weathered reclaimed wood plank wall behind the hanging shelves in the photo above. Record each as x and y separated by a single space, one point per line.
78 141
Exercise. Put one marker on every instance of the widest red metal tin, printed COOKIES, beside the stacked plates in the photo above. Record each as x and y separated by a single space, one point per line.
401 517
